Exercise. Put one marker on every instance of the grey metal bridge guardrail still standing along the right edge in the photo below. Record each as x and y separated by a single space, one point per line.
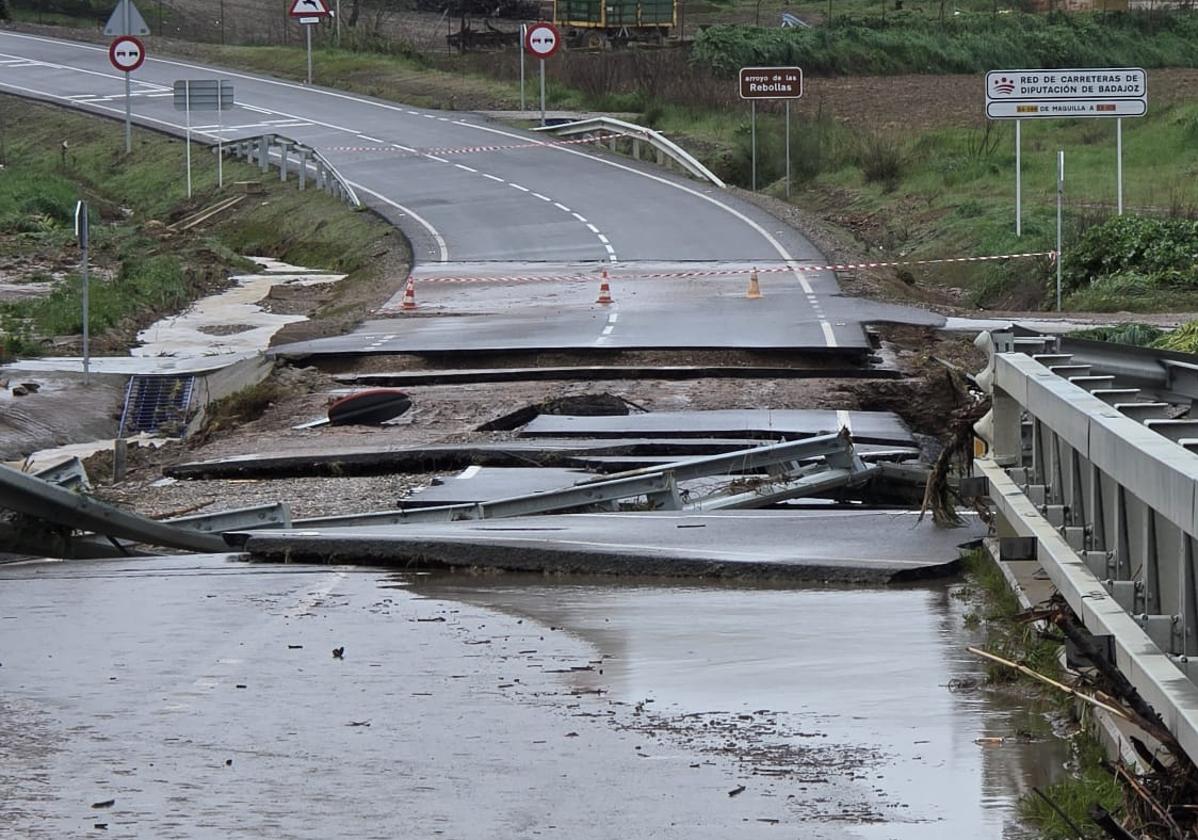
1105 481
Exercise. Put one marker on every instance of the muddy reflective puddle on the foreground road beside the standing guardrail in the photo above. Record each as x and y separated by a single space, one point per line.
849 700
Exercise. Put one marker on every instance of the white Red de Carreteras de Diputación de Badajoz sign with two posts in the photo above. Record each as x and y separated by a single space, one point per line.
1066 94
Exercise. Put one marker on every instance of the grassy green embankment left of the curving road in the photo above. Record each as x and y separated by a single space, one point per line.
141 270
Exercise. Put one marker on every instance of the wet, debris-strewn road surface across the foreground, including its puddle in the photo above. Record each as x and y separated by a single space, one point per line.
202 696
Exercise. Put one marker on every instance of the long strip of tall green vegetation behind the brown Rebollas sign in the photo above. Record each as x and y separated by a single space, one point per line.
960 44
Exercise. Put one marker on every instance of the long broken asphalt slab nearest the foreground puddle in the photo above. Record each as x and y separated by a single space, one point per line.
839 547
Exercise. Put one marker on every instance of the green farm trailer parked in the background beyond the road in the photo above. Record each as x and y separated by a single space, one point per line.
603 23
